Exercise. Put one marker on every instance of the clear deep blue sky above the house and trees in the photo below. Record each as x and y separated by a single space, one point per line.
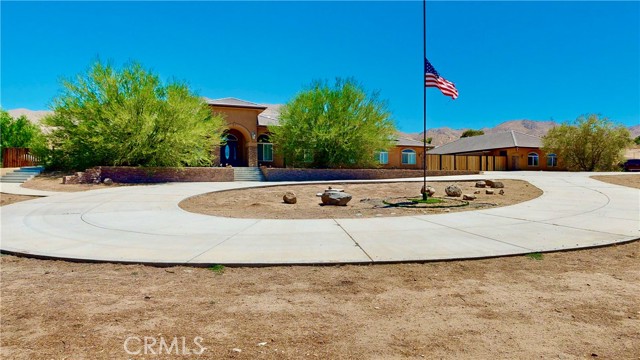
509 60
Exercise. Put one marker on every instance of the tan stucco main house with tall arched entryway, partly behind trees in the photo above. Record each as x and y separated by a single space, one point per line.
248 142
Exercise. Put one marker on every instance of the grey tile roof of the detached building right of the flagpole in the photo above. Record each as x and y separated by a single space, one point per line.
507 139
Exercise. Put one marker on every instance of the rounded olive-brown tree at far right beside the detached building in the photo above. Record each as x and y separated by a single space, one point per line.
591 143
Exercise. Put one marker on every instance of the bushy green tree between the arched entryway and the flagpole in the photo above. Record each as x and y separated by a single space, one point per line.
333 126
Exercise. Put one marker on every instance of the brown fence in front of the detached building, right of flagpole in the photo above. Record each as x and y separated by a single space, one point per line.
466 162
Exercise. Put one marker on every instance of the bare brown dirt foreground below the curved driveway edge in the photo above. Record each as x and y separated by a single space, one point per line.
579 304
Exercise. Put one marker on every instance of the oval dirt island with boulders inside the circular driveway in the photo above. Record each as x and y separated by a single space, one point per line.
267 202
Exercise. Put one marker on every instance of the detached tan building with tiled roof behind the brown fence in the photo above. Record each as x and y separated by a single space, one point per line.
522 151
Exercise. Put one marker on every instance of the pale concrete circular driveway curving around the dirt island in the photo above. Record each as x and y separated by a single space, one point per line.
144 224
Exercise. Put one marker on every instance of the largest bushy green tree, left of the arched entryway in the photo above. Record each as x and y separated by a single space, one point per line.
129 117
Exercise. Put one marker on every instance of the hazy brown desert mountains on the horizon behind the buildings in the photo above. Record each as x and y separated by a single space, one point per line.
440 136
